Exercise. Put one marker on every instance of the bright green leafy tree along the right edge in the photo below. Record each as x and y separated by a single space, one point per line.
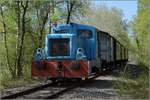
141 27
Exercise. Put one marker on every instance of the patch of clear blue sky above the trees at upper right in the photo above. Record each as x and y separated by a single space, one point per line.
129 7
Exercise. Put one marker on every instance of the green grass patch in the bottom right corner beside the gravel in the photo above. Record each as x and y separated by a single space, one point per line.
136 89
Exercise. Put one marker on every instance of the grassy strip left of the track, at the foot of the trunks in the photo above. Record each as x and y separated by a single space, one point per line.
7 82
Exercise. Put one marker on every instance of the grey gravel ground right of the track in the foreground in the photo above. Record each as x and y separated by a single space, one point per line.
101 89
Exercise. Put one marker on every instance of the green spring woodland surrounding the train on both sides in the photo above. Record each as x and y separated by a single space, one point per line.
24 24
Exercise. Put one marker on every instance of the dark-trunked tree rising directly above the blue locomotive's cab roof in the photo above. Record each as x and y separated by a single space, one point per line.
72 10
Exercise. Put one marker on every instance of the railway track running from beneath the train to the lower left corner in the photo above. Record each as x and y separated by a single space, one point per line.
48 91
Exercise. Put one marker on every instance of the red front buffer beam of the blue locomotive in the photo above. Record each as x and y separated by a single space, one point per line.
66 69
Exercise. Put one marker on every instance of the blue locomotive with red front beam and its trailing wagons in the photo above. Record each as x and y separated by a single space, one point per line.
77 51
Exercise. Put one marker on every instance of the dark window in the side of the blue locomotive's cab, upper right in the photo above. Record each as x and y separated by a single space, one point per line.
87 34
